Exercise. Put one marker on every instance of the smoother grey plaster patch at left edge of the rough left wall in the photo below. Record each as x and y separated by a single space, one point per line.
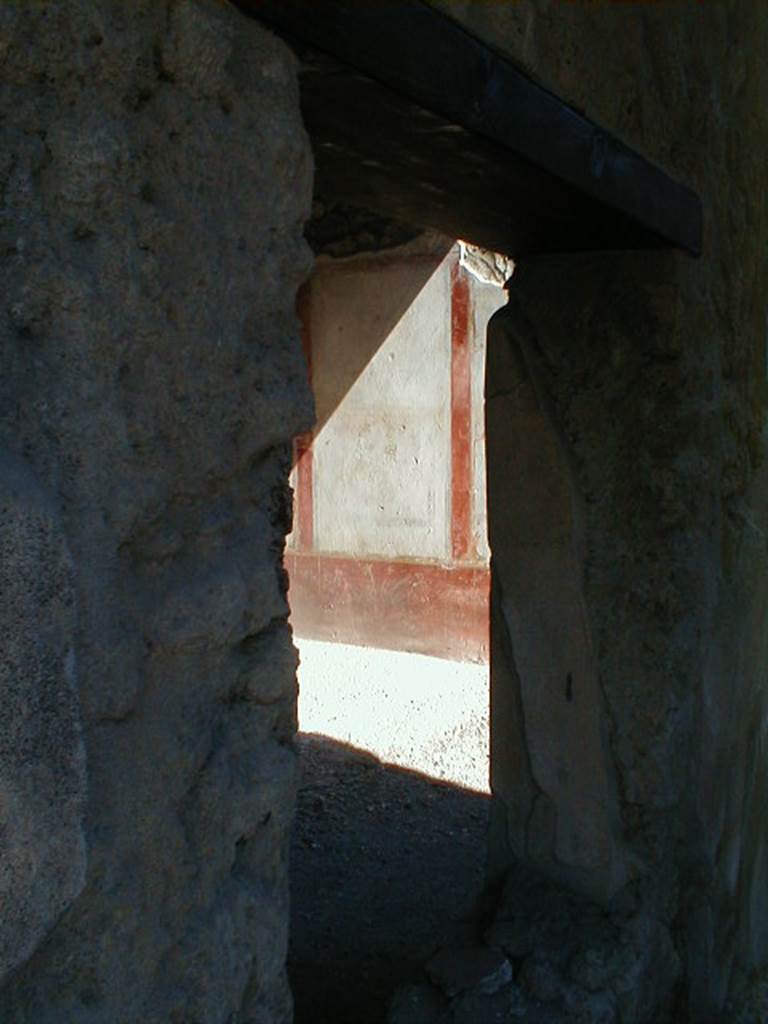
42 761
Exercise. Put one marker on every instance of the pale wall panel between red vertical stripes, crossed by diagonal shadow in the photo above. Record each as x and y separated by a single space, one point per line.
382 456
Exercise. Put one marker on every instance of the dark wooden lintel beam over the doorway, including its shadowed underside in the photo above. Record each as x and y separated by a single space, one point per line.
410 111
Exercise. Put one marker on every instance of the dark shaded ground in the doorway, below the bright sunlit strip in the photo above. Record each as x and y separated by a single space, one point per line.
387 867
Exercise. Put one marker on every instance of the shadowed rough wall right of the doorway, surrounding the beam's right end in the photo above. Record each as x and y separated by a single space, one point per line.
656 373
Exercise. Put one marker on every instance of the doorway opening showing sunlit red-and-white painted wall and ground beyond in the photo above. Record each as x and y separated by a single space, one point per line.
389 564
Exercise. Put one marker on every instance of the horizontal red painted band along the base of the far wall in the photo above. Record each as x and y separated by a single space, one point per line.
422 608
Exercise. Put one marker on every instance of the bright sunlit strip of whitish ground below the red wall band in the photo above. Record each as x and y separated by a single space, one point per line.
416 712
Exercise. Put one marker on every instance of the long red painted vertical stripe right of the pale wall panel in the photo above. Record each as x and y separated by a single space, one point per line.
461 417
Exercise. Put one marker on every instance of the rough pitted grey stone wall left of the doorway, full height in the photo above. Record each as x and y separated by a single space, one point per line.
154 179
